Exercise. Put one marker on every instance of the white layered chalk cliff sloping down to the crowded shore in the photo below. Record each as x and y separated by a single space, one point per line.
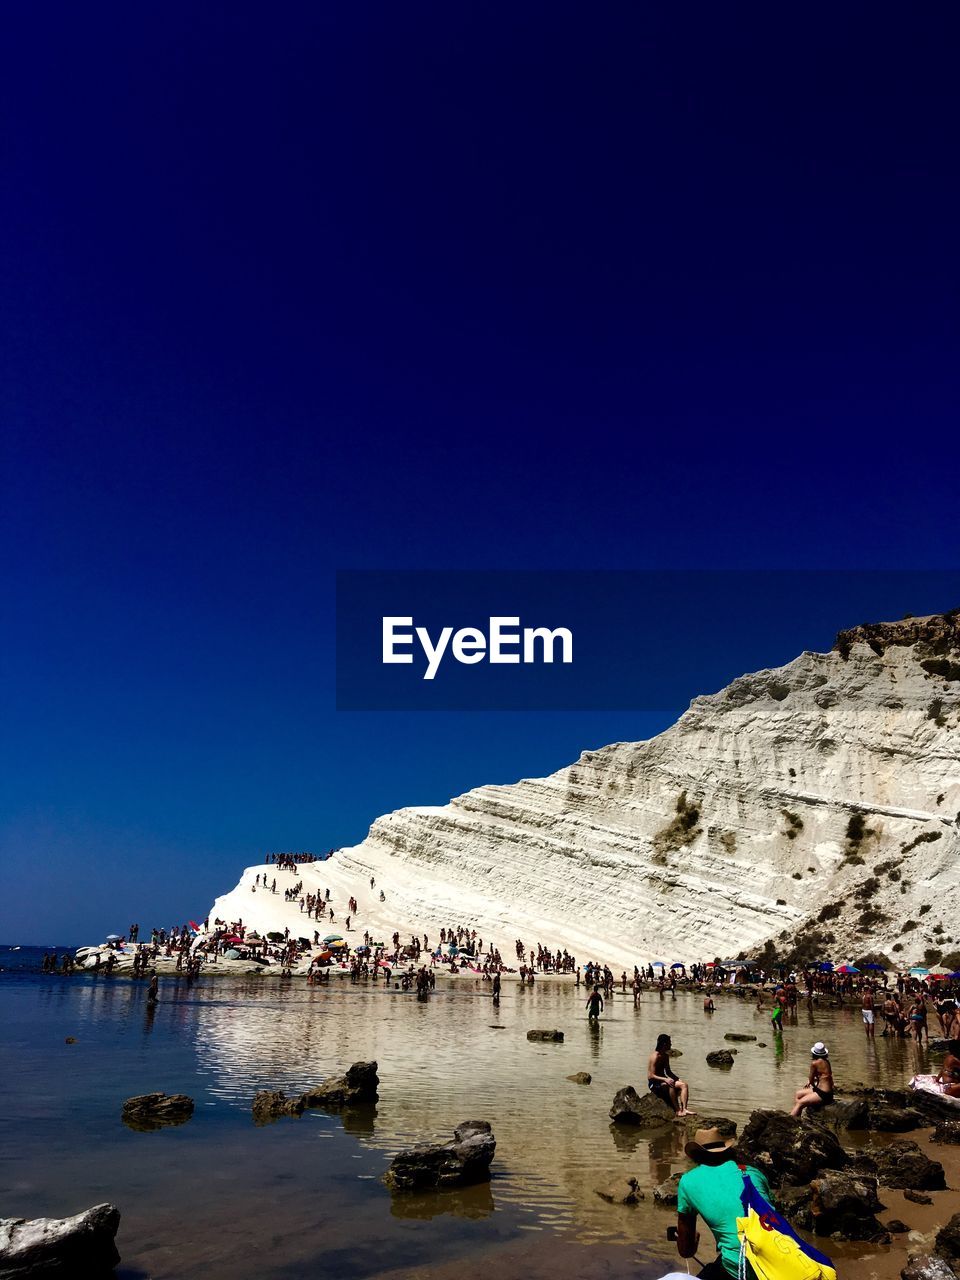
815 804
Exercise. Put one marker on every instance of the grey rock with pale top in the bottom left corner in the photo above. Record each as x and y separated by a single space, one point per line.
79 1246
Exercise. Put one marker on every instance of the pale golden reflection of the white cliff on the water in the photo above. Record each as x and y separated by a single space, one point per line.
455 1058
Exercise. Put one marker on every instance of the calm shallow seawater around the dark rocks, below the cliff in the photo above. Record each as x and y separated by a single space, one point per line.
221 1197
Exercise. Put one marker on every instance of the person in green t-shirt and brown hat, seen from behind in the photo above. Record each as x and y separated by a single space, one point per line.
712 1190
